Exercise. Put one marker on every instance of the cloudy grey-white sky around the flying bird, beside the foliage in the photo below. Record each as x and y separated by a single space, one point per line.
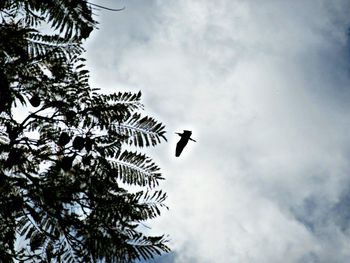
264 86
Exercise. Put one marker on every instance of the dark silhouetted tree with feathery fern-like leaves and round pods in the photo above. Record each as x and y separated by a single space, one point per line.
64 170
